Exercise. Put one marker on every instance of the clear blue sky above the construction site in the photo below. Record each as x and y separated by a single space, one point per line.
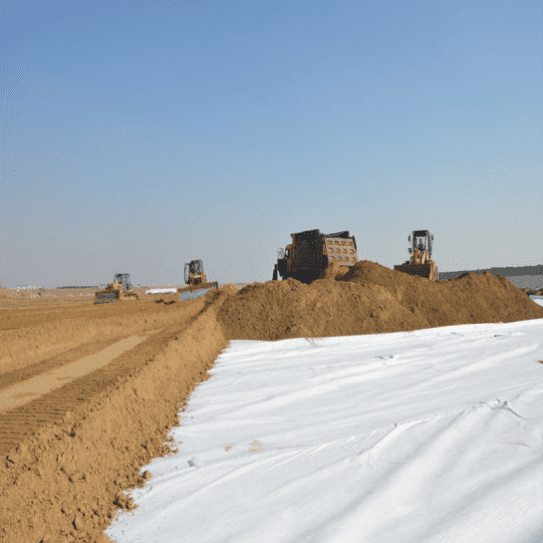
141 135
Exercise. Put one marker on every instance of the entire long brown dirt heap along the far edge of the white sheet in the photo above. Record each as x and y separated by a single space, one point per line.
368 299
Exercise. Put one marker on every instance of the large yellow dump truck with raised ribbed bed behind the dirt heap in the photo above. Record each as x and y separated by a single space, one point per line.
310 252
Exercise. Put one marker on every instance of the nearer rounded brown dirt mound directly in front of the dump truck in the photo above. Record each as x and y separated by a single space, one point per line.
289 309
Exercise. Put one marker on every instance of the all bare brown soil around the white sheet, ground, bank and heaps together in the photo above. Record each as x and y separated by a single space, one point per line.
68 451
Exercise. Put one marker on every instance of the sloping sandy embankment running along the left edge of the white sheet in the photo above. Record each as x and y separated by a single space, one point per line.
64 481
